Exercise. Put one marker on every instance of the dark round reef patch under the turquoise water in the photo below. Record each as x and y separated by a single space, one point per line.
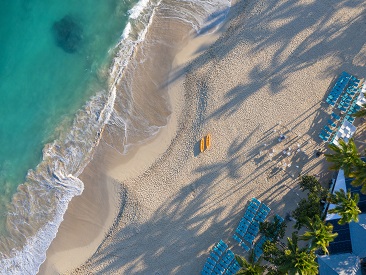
68 34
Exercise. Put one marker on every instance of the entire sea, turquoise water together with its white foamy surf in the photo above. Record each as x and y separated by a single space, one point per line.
60 62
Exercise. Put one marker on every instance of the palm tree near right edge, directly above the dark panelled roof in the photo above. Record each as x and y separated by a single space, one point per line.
346 206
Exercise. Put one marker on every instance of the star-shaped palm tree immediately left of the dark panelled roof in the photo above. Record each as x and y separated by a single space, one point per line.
320 234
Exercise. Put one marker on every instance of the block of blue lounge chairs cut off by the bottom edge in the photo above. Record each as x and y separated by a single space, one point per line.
221 261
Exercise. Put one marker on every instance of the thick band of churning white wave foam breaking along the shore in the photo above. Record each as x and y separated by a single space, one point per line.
38 206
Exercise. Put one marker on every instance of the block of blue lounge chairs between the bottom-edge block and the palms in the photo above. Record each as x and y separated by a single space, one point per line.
248 227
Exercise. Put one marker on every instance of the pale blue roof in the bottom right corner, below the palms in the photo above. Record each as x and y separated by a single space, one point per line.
340 264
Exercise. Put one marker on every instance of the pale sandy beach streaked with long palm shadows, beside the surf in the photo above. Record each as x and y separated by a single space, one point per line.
265 72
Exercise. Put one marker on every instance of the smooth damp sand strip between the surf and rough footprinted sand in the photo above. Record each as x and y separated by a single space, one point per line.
136 161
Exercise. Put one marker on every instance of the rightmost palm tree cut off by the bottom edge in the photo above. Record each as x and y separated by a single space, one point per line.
298 261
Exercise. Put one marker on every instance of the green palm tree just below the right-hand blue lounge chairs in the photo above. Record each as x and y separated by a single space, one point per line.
346 156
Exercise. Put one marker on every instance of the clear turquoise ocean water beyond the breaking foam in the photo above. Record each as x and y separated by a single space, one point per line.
42 85
